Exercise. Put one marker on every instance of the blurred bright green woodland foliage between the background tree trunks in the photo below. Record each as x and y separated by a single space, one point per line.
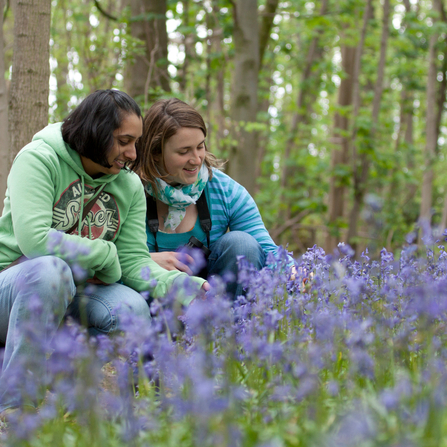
89 51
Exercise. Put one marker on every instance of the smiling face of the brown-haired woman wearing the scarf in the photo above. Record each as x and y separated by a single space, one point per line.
183 155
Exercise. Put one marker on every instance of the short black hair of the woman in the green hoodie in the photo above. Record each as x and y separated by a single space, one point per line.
89 128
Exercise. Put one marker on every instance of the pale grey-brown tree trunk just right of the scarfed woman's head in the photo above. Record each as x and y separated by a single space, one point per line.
243 153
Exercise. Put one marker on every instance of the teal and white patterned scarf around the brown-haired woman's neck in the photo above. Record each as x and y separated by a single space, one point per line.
178 198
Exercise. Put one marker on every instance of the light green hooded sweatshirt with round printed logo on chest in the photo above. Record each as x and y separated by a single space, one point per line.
47 191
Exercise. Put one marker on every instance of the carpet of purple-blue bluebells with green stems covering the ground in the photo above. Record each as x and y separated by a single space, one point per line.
356 357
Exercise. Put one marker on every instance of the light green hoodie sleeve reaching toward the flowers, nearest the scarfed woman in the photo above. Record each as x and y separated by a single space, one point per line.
139 270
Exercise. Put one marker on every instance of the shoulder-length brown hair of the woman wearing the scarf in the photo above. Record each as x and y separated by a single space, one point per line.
162 121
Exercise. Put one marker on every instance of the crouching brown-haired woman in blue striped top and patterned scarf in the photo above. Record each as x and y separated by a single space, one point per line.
179 172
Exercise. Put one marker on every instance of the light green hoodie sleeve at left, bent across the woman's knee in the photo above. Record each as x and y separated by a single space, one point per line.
31 187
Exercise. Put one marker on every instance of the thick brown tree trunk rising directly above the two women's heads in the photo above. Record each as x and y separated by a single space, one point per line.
147 76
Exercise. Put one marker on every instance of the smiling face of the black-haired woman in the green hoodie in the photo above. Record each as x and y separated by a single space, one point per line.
123 149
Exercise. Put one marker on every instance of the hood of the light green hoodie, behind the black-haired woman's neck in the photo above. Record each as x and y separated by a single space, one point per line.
52 136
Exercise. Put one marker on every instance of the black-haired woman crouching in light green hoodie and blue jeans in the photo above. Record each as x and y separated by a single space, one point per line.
74 215
